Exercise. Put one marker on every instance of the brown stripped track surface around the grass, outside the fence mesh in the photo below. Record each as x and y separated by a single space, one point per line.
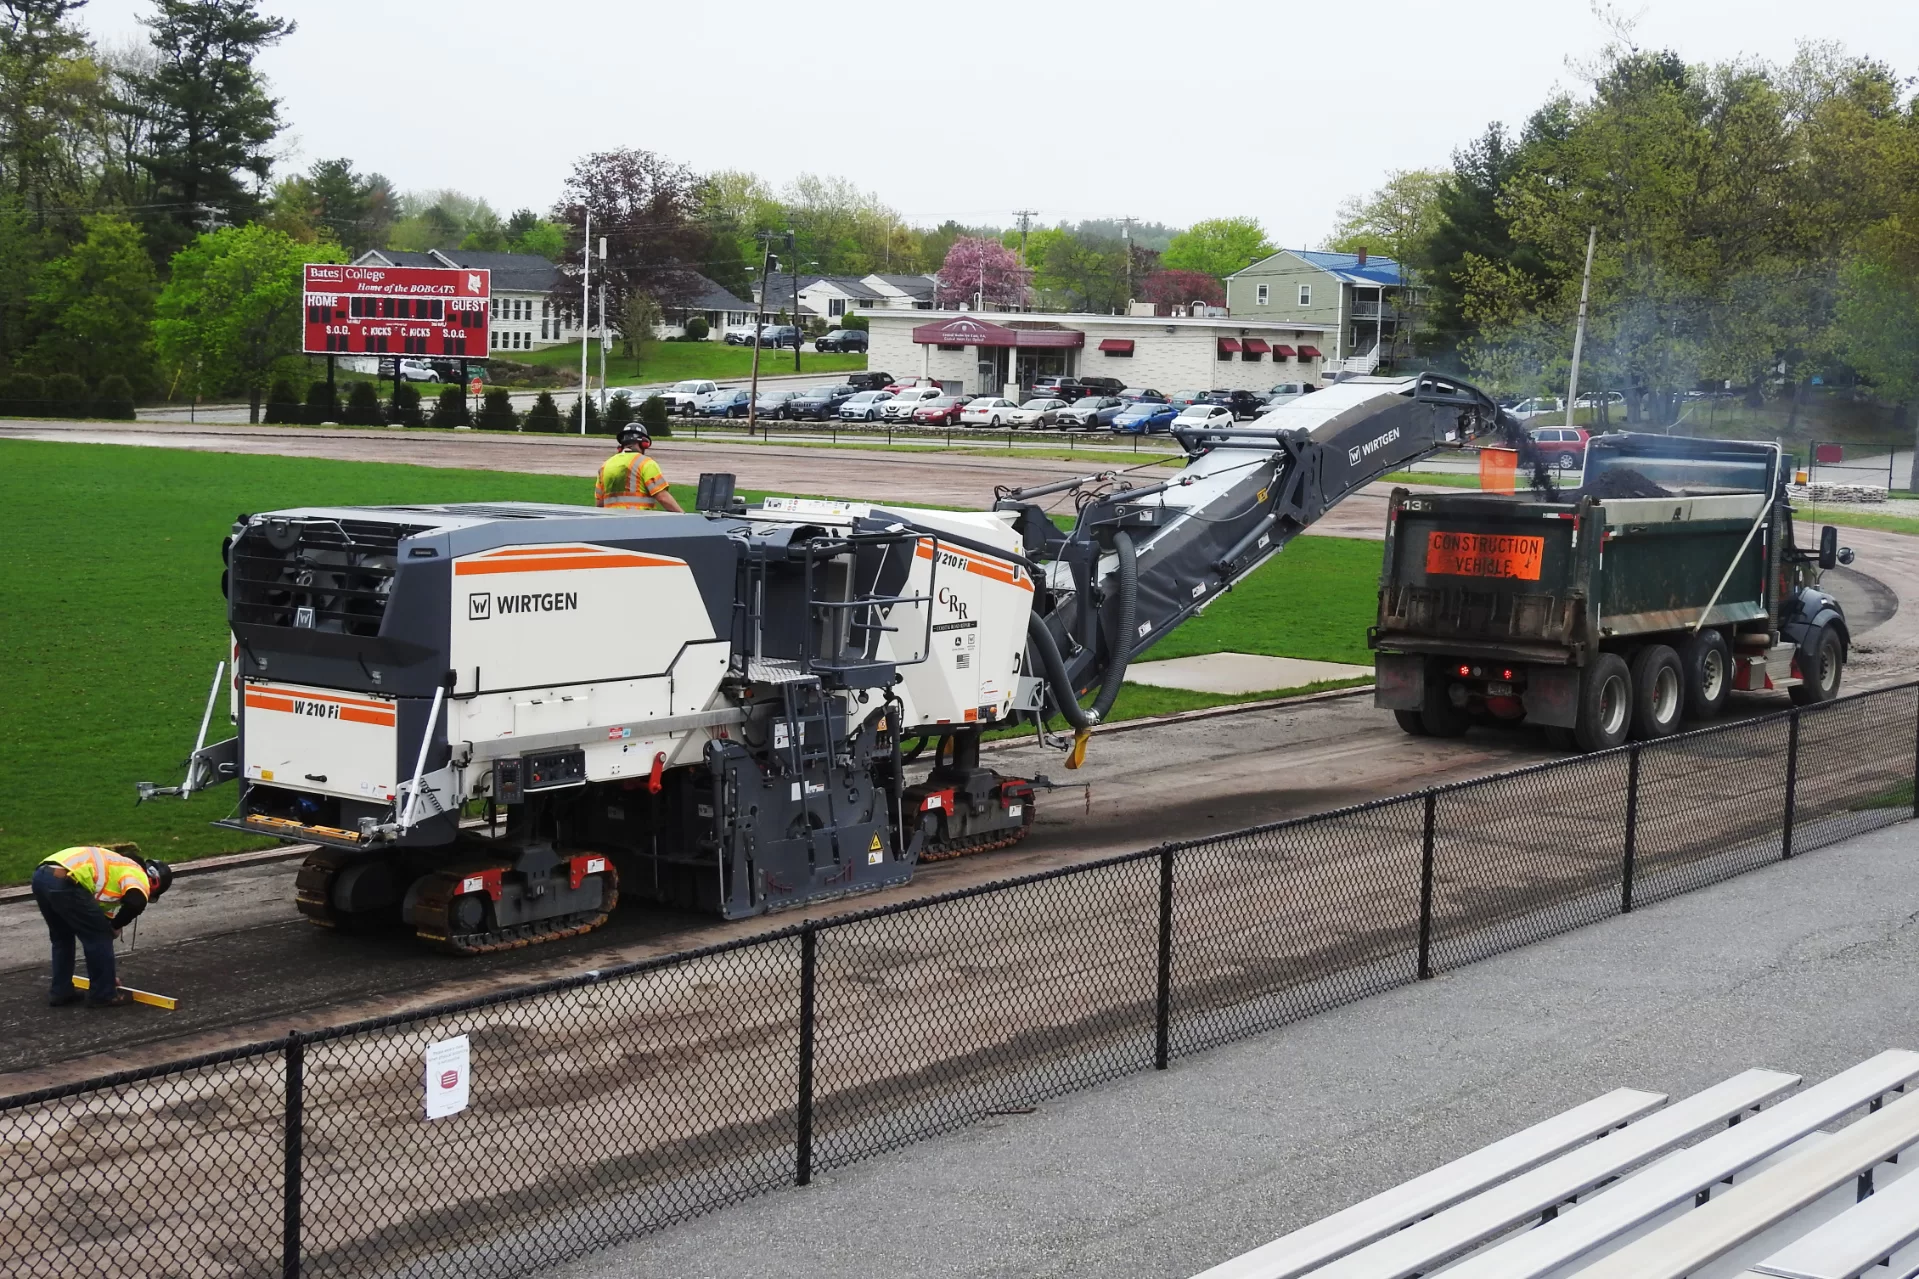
247 971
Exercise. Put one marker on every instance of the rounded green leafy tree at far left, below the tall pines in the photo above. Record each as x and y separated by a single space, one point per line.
95 306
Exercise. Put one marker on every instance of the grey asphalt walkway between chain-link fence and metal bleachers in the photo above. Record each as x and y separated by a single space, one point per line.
1805 967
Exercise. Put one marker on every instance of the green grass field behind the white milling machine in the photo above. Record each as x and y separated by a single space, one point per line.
112 621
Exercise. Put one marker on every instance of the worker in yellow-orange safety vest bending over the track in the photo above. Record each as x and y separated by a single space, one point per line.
93 894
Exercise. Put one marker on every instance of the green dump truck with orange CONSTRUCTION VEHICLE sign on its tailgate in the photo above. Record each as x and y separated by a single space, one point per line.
1669 581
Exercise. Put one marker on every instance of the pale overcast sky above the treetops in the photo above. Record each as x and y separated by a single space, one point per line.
976 109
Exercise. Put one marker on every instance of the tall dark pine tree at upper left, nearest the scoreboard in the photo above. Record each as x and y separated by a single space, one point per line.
212 120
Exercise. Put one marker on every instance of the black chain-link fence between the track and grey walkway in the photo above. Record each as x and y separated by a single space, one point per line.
615 1103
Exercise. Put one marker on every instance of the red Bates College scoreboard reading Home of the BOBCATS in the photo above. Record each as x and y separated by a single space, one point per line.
398 312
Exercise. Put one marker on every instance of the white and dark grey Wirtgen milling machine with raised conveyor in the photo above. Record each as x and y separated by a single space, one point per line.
723 710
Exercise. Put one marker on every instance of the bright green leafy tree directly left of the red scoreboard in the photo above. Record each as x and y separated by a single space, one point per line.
233 308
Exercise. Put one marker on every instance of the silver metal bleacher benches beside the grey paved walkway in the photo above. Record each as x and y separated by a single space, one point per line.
1736 1182
